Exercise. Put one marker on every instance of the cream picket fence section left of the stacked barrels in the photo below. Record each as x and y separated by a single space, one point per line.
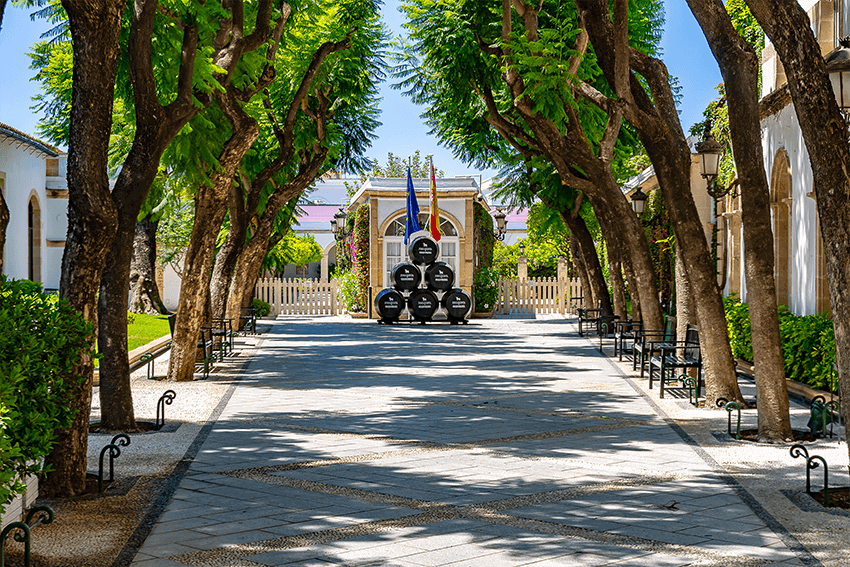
298 296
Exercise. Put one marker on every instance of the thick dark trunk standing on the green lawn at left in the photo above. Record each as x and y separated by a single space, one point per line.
144 291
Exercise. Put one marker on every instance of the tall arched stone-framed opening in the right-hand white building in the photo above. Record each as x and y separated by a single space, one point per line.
781 202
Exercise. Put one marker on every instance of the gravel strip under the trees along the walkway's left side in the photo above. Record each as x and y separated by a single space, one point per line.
93 531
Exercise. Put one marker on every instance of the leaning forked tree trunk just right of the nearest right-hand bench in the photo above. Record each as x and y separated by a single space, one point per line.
632 72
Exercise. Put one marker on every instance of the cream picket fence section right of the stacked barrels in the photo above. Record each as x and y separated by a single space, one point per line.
537 296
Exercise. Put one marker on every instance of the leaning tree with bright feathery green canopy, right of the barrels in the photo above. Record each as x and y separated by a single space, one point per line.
533 87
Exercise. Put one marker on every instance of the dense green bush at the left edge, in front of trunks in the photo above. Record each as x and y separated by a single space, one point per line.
43 339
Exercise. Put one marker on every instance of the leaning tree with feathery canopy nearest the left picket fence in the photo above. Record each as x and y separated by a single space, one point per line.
338 113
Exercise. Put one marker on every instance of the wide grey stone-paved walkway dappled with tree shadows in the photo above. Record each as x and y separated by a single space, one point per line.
499 443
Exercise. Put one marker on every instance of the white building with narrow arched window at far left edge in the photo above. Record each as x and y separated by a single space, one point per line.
32 179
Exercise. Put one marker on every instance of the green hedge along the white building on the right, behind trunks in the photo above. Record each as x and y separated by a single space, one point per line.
808 343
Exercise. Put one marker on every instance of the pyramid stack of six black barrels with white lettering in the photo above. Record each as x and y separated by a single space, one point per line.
423 286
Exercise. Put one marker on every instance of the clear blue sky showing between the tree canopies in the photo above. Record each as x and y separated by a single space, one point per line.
686 55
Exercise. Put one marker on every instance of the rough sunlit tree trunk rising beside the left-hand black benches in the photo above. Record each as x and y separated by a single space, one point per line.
210 208
